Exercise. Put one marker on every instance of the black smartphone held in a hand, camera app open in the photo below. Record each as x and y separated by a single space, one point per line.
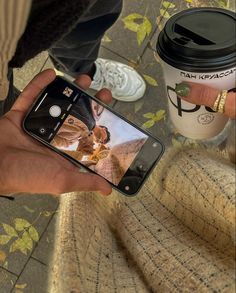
90 134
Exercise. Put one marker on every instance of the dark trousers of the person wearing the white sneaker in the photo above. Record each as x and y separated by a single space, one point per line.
77 51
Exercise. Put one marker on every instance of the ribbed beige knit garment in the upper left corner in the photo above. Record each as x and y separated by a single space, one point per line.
13 18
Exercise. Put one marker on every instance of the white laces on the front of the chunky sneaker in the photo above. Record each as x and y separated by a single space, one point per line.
112 77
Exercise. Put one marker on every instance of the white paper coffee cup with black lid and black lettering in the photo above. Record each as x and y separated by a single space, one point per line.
198 45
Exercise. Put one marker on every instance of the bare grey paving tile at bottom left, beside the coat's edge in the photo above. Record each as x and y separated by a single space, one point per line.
34 277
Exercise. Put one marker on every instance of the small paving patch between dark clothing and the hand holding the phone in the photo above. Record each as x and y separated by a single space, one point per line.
22 76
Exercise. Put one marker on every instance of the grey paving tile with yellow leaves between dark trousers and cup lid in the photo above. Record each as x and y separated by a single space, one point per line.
123 41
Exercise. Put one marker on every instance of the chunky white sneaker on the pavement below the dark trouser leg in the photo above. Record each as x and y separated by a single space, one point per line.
123 81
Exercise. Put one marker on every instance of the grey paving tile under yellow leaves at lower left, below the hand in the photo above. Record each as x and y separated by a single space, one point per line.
36 210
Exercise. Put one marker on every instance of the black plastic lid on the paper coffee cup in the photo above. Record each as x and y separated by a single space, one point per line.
199 40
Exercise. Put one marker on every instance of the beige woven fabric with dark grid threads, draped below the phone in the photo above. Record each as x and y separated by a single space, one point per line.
177 235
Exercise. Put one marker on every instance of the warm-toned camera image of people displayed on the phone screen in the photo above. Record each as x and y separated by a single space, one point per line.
99 139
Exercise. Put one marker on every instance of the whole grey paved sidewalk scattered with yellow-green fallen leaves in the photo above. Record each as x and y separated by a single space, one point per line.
27 223
